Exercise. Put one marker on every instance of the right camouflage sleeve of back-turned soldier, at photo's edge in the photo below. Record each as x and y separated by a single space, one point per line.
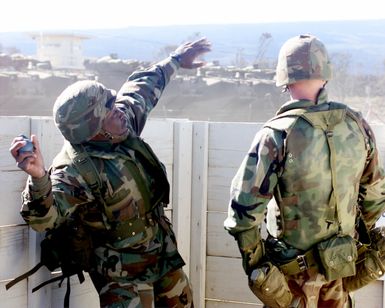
372 184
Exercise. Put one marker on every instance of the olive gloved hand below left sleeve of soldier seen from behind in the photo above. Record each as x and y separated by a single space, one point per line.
251 247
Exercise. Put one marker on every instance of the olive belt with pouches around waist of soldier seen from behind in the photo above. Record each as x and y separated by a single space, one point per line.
334 257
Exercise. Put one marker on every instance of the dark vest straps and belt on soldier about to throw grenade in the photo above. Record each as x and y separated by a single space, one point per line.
137 230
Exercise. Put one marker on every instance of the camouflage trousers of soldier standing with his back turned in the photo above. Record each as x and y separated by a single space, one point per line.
311 290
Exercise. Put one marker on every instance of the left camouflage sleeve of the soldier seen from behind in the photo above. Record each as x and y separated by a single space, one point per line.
254 183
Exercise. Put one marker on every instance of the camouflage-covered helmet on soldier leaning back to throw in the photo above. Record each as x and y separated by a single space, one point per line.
80 109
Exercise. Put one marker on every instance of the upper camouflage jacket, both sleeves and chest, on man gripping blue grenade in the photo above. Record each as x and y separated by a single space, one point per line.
47 201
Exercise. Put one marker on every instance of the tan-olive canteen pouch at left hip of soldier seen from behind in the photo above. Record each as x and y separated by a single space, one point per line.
271 287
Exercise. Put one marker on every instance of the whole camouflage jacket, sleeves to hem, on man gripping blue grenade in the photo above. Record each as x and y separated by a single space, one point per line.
47 201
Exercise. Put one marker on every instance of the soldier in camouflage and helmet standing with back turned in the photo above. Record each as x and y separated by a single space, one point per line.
313 169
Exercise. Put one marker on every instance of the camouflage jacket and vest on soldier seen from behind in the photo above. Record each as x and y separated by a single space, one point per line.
290 161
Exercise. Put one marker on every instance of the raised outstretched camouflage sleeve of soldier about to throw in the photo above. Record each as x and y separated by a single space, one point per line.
141 92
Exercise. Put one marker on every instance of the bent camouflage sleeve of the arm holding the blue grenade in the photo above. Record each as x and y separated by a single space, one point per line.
47 200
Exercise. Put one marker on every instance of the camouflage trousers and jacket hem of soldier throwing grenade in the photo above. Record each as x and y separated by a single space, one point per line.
148 276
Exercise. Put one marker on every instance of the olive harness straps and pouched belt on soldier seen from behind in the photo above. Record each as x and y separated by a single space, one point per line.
335 253
